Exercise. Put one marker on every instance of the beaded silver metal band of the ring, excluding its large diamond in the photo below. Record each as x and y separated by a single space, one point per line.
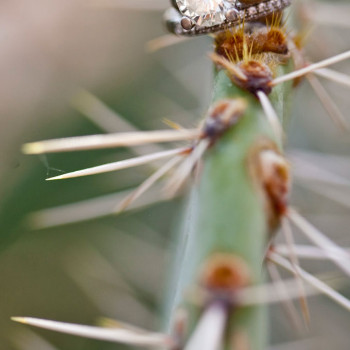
180 24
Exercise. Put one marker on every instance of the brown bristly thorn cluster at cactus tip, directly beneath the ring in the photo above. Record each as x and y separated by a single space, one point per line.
251 52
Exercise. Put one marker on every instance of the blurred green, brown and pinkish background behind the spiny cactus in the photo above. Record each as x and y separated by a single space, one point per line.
71 68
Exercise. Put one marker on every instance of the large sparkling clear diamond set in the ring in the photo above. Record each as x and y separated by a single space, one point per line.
204 13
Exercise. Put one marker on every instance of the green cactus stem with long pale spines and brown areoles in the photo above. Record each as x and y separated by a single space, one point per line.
238 197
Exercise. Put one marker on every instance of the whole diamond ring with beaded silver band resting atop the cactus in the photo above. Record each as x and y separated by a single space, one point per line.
194 17
